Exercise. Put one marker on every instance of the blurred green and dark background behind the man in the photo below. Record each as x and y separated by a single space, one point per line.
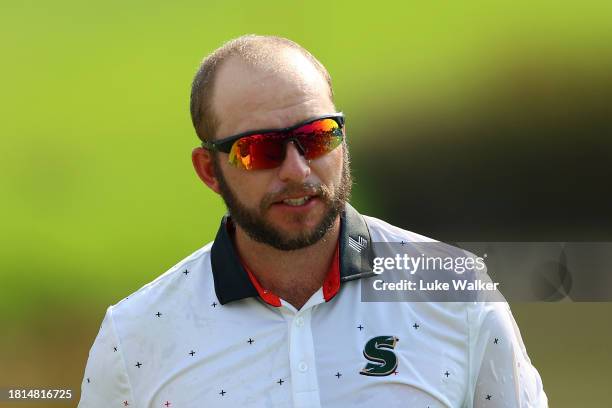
466 121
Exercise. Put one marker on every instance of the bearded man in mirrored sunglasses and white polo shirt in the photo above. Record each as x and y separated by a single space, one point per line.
270 313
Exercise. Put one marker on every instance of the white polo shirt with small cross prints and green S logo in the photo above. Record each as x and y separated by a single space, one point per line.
201 335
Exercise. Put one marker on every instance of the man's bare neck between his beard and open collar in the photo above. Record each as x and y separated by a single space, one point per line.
292 275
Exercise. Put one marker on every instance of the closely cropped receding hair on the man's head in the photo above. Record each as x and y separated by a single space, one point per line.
255 49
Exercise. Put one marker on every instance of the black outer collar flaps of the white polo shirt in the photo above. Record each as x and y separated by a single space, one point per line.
233 283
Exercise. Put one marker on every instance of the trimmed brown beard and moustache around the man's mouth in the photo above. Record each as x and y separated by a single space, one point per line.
253 222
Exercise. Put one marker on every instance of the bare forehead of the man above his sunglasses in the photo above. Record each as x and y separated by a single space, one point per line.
274 94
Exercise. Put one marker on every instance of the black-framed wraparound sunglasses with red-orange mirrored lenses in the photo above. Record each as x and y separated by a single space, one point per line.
266 148
